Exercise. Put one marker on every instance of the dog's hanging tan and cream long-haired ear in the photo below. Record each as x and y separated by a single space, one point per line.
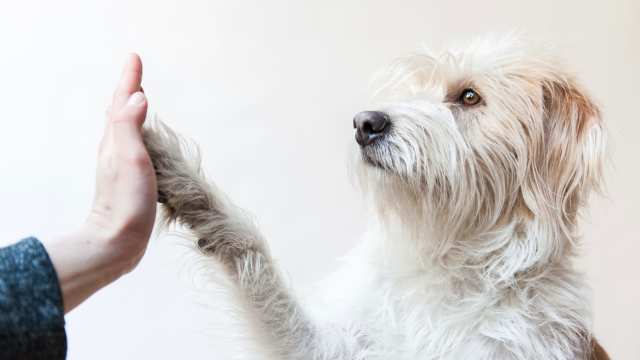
570 160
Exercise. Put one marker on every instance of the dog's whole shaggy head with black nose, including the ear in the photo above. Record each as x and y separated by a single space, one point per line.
480 137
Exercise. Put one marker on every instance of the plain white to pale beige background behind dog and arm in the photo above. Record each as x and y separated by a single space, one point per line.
268 88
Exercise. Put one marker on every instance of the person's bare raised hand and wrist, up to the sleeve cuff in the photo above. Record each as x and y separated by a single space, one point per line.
114 236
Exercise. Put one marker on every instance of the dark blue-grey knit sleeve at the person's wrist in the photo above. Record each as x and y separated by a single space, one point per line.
31 310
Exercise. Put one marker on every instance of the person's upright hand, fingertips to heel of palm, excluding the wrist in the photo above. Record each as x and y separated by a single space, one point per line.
124 207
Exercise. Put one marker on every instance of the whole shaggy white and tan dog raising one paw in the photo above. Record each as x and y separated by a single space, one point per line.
478 163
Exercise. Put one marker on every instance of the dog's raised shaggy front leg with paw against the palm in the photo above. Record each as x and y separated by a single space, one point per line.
223 231
